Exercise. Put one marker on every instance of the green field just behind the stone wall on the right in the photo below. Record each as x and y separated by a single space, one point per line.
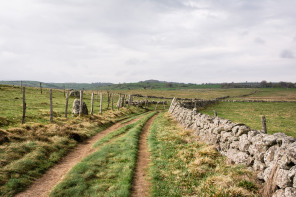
280 117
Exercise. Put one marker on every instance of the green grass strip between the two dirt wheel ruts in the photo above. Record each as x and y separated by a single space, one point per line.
108 171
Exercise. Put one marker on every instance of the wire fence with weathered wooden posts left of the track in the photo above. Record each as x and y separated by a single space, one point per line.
38 105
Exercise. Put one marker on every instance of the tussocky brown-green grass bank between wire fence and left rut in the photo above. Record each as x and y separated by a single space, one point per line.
33 148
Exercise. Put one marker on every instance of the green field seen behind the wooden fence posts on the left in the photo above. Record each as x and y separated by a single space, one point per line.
38 108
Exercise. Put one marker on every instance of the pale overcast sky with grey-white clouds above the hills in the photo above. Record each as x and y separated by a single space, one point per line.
190 41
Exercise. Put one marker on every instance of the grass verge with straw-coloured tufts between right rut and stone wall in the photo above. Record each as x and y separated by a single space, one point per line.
184 166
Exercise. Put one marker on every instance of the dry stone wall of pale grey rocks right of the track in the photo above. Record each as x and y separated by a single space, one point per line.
269 155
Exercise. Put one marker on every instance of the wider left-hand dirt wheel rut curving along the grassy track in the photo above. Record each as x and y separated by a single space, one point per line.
42 186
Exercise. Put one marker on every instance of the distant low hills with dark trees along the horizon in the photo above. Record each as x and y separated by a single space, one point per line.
152 84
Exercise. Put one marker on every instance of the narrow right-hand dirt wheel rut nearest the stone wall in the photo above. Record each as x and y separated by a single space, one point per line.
140 184
